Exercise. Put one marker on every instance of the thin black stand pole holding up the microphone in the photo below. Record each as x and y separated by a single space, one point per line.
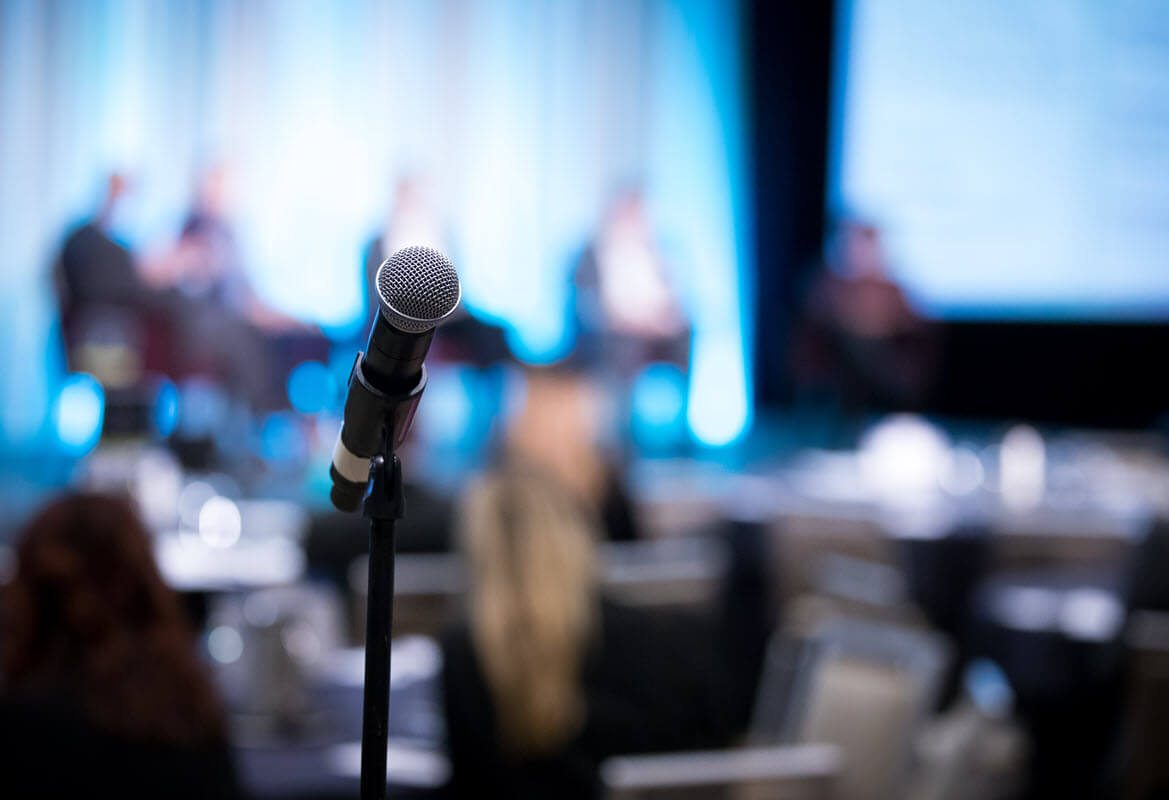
384 507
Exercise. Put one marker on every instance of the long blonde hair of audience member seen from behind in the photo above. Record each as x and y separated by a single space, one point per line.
532 557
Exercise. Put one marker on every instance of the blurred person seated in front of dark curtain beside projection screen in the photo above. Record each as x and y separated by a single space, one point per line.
860 336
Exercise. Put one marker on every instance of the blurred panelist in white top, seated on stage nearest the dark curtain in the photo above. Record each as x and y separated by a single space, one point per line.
627 305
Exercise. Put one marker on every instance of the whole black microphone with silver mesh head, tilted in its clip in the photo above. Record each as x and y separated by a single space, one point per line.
418 289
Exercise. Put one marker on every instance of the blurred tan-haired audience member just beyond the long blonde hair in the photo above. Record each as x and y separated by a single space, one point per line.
558 431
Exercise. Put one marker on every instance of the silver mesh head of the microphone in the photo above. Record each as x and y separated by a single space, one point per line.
418 288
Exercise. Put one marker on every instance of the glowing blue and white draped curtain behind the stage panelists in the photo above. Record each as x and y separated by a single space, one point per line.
523 116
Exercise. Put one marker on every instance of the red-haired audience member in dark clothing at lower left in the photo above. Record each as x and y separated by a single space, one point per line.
103 694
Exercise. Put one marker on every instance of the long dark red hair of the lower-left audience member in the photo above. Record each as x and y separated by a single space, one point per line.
87 613
